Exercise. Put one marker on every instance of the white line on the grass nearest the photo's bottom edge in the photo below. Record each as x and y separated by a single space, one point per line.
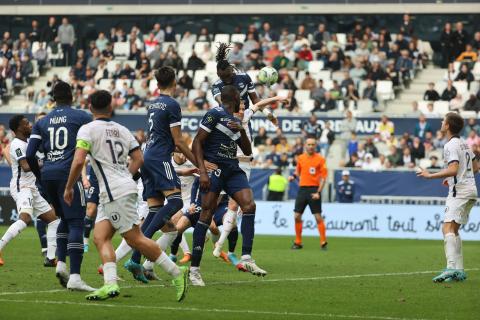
193 309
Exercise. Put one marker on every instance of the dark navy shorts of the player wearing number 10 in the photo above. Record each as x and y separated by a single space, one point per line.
54 190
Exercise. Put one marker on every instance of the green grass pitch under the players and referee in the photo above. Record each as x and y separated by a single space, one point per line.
354 279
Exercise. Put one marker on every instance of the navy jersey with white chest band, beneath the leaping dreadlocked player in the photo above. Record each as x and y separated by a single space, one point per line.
221 144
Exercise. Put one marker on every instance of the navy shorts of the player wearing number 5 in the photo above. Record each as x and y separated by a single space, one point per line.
158 176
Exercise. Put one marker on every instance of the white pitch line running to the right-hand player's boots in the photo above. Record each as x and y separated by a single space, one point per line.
262 280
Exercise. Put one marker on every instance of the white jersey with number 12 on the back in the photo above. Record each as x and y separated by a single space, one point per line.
109 145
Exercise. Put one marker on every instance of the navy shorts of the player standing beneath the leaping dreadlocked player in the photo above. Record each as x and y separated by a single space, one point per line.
230 179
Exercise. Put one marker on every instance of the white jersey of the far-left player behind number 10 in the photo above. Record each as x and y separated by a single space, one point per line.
20 179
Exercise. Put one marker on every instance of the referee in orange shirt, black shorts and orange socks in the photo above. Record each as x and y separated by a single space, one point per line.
312 171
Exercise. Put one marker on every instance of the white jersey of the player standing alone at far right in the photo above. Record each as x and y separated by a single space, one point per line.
463 184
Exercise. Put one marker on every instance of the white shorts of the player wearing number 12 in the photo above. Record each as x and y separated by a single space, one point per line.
122 213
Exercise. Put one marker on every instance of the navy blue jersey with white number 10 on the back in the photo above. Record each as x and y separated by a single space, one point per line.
56 134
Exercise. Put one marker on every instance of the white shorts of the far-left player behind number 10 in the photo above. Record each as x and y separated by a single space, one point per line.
30 201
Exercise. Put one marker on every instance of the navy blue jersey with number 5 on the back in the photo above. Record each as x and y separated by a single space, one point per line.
163 114
